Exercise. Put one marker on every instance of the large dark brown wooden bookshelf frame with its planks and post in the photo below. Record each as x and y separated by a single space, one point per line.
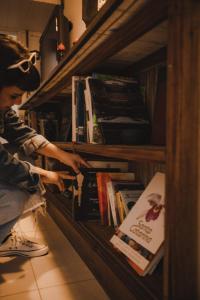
125 37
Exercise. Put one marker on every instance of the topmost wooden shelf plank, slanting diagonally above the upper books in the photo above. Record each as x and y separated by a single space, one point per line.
116 26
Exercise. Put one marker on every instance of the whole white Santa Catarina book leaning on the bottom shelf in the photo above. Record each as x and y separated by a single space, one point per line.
141 235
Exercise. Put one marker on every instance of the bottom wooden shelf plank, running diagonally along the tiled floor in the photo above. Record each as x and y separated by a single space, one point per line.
91 240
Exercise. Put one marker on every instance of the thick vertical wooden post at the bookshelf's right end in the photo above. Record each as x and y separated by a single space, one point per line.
183 151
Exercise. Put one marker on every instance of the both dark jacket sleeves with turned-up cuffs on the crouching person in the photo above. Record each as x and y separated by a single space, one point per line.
12 170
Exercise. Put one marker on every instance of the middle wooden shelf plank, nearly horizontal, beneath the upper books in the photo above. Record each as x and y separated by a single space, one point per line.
139 153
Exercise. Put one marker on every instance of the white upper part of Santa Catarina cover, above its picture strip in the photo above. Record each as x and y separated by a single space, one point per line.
145 221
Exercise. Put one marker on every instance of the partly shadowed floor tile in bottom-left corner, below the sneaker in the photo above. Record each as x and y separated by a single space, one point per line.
16 275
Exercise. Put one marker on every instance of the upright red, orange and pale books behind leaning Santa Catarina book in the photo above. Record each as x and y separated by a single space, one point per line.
117 193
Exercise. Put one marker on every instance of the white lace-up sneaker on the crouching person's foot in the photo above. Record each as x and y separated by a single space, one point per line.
18 245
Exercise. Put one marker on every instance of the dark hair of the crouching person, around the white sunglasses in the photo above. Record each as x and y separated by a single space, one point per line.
11 52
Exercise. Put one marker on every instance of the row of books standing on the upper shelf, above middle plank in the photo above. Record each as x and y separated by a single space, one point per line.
108 111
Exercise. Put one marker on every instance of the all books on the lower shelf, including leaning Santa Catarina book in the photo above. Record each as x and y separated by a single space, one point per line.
109 193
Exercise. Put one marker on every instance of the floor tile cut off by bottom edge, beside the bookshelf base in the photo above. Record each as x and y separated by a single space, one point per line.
85 290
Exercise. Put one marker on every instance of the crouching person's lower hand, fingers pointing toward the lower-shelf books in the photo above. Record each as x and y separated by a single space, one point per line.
56 178
